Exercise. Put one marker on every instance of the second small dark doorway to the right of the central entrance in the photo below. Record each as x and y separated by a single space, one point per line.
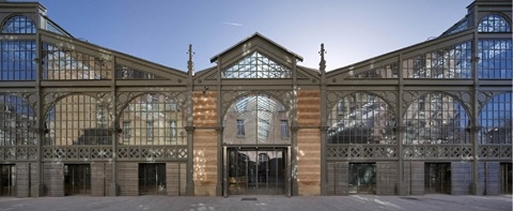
437 178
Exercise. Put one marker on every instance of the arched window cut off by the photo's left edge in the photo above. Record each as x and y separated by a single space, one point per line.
17 121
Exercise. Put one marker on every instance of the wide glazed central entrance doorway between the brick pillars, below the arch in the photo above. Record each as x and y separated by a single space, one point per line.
256 171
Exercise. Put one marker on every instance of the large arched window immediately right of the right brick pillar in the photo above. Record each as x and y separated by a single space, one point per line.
361 118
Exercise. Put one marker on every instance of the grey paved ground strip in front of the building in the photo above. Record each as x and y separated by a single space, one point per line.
237 203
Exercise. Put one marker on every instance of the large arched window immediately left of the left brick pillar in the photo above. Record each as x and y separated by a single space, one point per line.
152 119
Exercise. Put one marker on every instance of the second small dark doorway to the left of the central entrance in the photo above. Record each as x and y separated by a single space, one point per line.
77 179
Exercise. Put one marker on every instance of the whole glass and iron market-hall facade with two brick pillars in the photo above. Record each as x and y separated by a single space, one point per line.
77 118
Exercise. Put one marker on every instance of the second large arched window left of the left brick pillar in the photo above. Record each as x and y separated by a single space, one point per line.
78 120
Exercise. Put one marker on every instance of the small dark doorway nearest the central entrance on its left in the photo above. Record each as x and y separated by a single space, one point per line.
152 178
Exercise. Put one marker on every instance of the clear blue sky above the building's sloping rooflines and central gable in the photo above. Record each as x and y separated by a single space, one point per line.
161 30
